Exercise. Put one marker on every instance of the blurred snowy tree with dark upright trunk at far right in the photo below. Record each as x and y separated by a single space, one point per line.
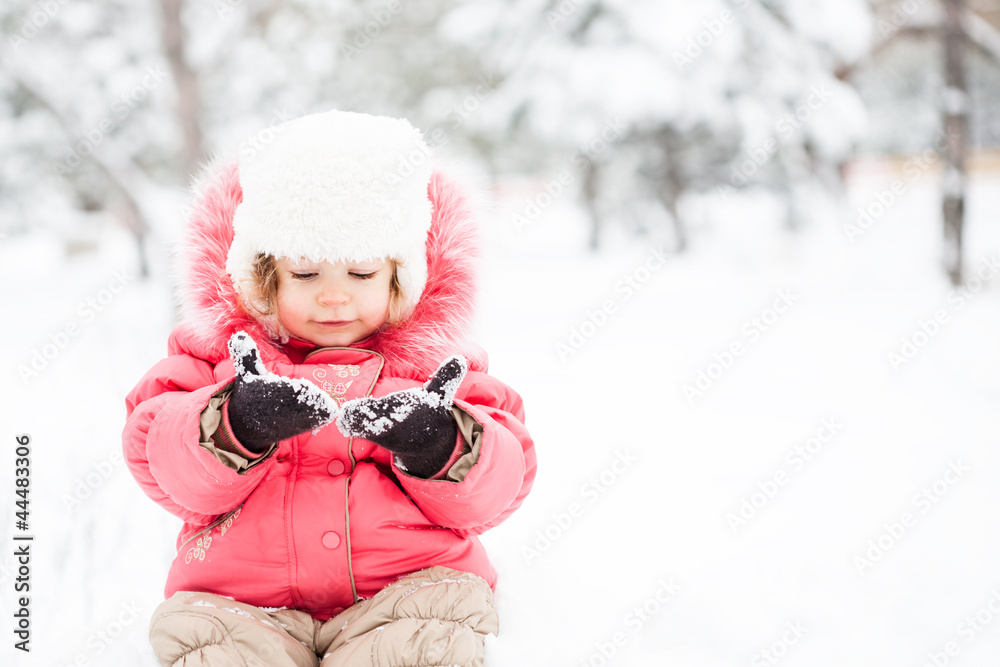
931 83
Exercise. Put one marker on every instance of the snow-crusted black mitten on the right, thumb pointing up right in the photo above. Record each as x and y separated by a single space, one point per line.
414 424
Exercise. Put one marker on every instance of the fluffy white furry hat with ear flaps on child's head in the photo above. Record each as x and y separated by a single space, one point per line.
336 186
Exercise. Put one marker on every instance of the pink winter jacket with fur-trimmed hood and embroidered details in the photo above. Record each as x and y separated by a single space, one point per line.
322 521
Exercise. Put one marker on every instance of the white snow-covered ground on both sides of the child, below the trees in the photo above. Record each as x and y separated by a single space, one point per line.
869 532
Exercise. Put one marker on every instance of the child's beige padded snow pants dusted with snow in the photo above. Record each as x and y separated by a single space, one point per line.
436 616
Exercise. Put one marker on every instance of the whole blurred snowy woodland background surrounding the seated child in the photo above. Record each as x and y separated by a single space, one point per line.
740 260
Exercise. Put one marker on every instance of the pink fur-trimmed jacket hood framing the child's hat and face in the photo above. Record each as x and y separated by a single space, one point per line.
436 328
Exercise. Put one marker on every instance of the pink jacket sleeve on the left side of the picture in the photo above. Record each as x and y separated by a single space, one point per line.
167 449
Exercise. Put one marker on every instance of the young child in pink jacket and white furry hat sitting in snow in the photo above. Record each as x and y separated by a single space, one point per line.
331 441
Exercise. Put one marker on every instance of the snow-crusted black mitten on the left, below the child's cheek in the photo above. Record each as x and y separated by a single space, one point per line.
265 408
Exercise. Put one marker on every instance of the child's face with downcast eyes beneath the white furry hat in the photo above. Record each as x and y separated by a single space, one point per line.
333 305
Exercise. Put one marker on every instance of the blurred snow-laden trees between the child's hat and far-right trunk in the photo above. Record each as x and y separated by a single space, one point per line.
652 101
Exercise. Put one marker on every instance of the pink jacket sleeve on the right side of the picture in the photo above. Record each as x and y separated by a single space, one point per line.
500 468
